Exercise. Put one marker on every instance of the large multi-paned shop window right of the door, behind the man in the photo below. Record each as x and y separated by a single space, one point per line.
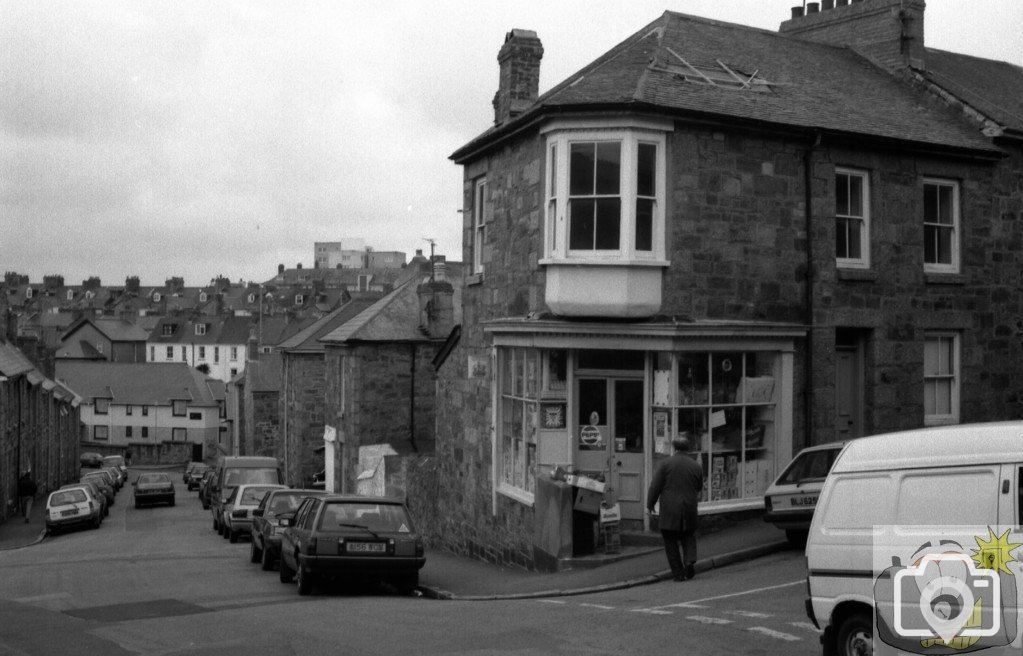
724 403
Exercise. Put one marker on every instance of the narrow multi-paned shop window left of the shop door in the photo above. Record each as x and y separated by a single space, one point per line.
519 409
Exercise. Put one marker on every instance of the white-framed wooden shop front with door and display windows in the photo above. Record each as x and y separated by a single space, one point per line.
604 403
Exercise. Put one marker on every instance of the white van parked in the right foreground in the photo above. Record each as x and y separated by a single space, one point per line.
915 493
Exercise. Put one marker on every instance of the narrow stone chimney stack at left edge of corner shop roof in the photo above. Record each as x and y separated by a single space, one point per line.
519 84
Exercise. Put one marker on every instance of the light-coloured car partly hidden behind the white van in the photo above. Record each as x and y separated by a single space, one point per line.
789 503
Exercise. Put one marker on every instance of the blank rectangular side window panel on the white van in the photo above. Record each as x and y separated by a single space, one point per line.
949 499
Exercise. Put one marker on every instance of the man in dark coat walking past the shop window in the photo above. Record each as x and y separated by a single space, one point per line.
678 484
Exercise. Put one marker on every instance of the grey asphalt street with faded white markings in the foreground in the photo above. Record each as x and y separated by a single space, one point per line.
159 581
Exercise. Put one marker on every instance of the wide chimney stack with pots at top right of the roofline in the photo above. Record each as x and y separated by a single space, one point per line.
891 33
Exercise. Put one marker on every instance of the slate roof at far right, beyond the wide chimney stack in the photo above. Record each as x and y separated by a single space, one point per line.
995 89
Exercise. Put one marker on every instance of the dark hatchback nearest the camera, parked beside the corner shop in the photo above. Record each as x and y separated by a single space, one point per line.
359 538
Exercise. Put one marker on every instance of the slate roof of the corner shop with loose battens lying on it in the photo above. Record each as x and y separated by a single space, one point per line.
813 86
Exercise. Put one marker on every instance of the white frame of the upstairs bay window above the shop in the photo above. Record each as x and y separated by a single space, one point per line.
631 134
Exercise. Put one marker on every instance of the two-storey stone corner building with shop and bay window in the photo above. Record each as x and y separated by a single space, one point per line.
759 240
